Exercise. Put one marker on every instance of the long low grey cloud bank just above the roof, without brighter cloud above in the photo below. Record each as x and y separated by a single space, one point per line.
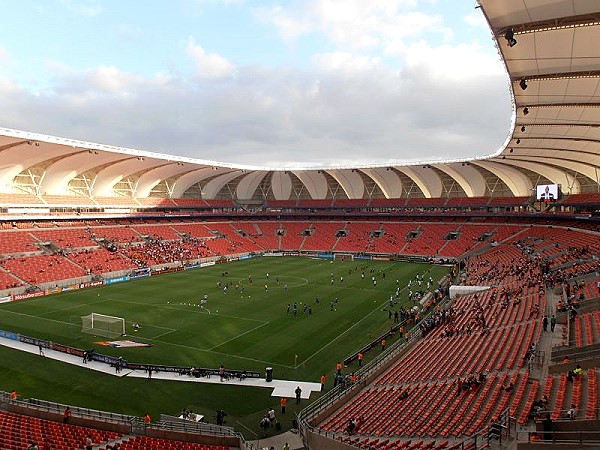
347 108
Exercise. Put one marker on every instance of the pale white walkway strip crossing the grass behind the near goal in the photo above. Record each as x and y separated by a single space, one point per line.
280 388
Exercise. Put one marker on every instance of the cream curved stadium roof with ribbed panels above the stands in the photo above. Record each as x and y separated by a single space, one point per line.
551 53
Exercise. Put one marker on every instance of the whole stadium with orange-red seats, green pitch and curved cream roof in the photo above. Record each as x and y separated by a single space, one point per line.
150 301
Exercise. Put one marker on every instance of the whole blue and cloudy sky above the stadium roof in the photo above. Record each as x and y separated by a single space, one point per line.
271 83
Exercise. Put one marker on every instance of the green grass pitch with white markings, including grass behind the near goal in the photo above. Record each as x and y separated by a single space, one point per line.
248 331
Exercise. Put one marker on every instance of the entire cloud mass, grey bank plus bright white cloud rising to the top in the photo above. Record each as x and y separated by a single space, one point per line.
354 103
